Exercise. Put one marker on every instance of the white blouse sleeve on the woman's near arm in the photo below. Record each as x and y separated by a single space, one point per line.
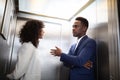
24 56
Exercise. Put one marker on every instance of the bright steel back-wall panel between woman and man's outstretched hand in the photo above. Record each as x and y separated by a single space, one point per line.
50 65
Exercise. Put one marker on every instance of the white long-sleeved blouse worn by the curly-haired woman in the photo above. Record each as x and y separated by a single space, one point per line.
28 64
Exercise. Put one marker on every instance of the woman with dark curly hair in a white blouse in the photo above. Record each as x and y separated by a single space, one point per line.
28 63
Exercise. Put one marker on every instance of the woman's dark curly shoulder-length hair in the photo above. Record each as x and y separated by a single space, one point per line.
30 32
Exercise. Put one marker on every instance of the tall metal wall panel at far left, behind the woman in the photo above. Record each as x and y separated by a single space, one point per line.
7 39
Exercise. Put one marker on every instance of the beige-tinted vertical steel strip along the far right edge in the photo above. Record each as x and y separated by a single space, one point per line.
114 39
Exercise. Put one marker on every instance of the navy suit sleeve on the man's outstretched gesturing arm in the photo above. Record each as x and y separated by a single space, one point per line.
85 54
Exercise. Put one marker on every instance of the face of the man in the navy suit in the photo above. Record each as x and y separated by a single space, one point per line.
78 29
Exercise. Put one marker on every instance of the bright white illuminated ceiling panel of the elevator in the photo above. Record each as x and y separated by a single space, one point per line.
63 9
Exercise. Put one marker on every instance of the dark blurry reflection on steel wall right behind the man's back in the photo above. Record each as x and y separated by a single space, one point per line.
102 51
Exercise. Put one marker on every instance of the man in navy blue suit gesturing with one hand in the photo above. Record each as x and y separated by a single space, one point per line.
81 56
